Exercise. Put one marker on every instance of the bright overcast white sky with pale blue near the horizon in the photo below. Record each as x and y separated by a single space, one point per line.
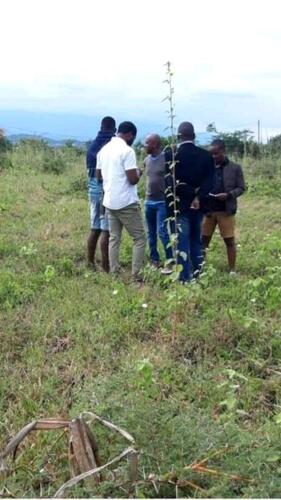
107 57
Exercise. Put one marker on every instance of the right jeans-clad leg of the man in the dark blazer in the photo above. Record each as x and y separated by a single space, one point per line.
196 247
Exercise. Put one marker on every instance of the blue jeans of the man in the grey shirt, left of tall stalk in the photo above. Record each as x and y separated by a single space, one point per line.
156 214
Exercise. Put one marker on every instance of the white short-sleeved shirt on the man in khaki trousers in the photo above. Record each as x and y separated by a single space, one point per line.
113 160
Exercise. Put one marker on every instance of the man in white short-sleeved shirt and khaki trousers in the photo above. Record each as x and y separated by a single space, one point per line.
117 167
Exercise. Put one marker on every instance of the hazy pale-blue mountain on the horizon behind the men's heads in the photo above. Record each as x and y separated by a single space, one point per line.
58 127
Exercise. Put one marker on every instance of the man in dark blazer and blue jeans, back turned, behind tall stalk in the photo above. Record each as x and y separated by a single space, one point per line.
194 172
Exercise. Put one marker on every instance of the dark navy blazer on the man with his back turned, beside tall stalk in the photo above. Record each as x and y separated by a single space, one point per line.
194 171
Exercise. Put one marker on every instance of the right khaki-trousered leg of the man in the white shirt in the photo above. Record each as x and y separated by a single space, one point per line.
132 220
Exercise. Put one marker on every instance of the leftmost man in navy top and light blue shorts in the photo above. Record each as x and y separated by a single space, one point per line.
99 219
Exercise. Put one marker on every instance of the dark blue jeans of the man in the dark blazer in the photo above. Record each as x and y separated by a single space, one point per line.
189 242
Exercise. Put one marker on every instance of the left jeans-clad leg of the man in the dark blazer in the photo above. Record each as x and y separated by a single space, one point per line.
183 247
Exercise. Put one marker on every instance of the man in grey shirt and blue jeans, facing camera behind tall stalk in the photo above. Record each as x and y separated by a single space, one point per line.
155 205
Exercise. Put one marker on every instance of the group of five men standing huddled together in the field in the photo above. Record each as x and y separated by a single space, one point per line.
188 192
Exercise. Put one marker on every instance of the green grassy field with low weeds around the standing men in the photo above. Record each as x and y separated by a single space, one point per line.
188 371
